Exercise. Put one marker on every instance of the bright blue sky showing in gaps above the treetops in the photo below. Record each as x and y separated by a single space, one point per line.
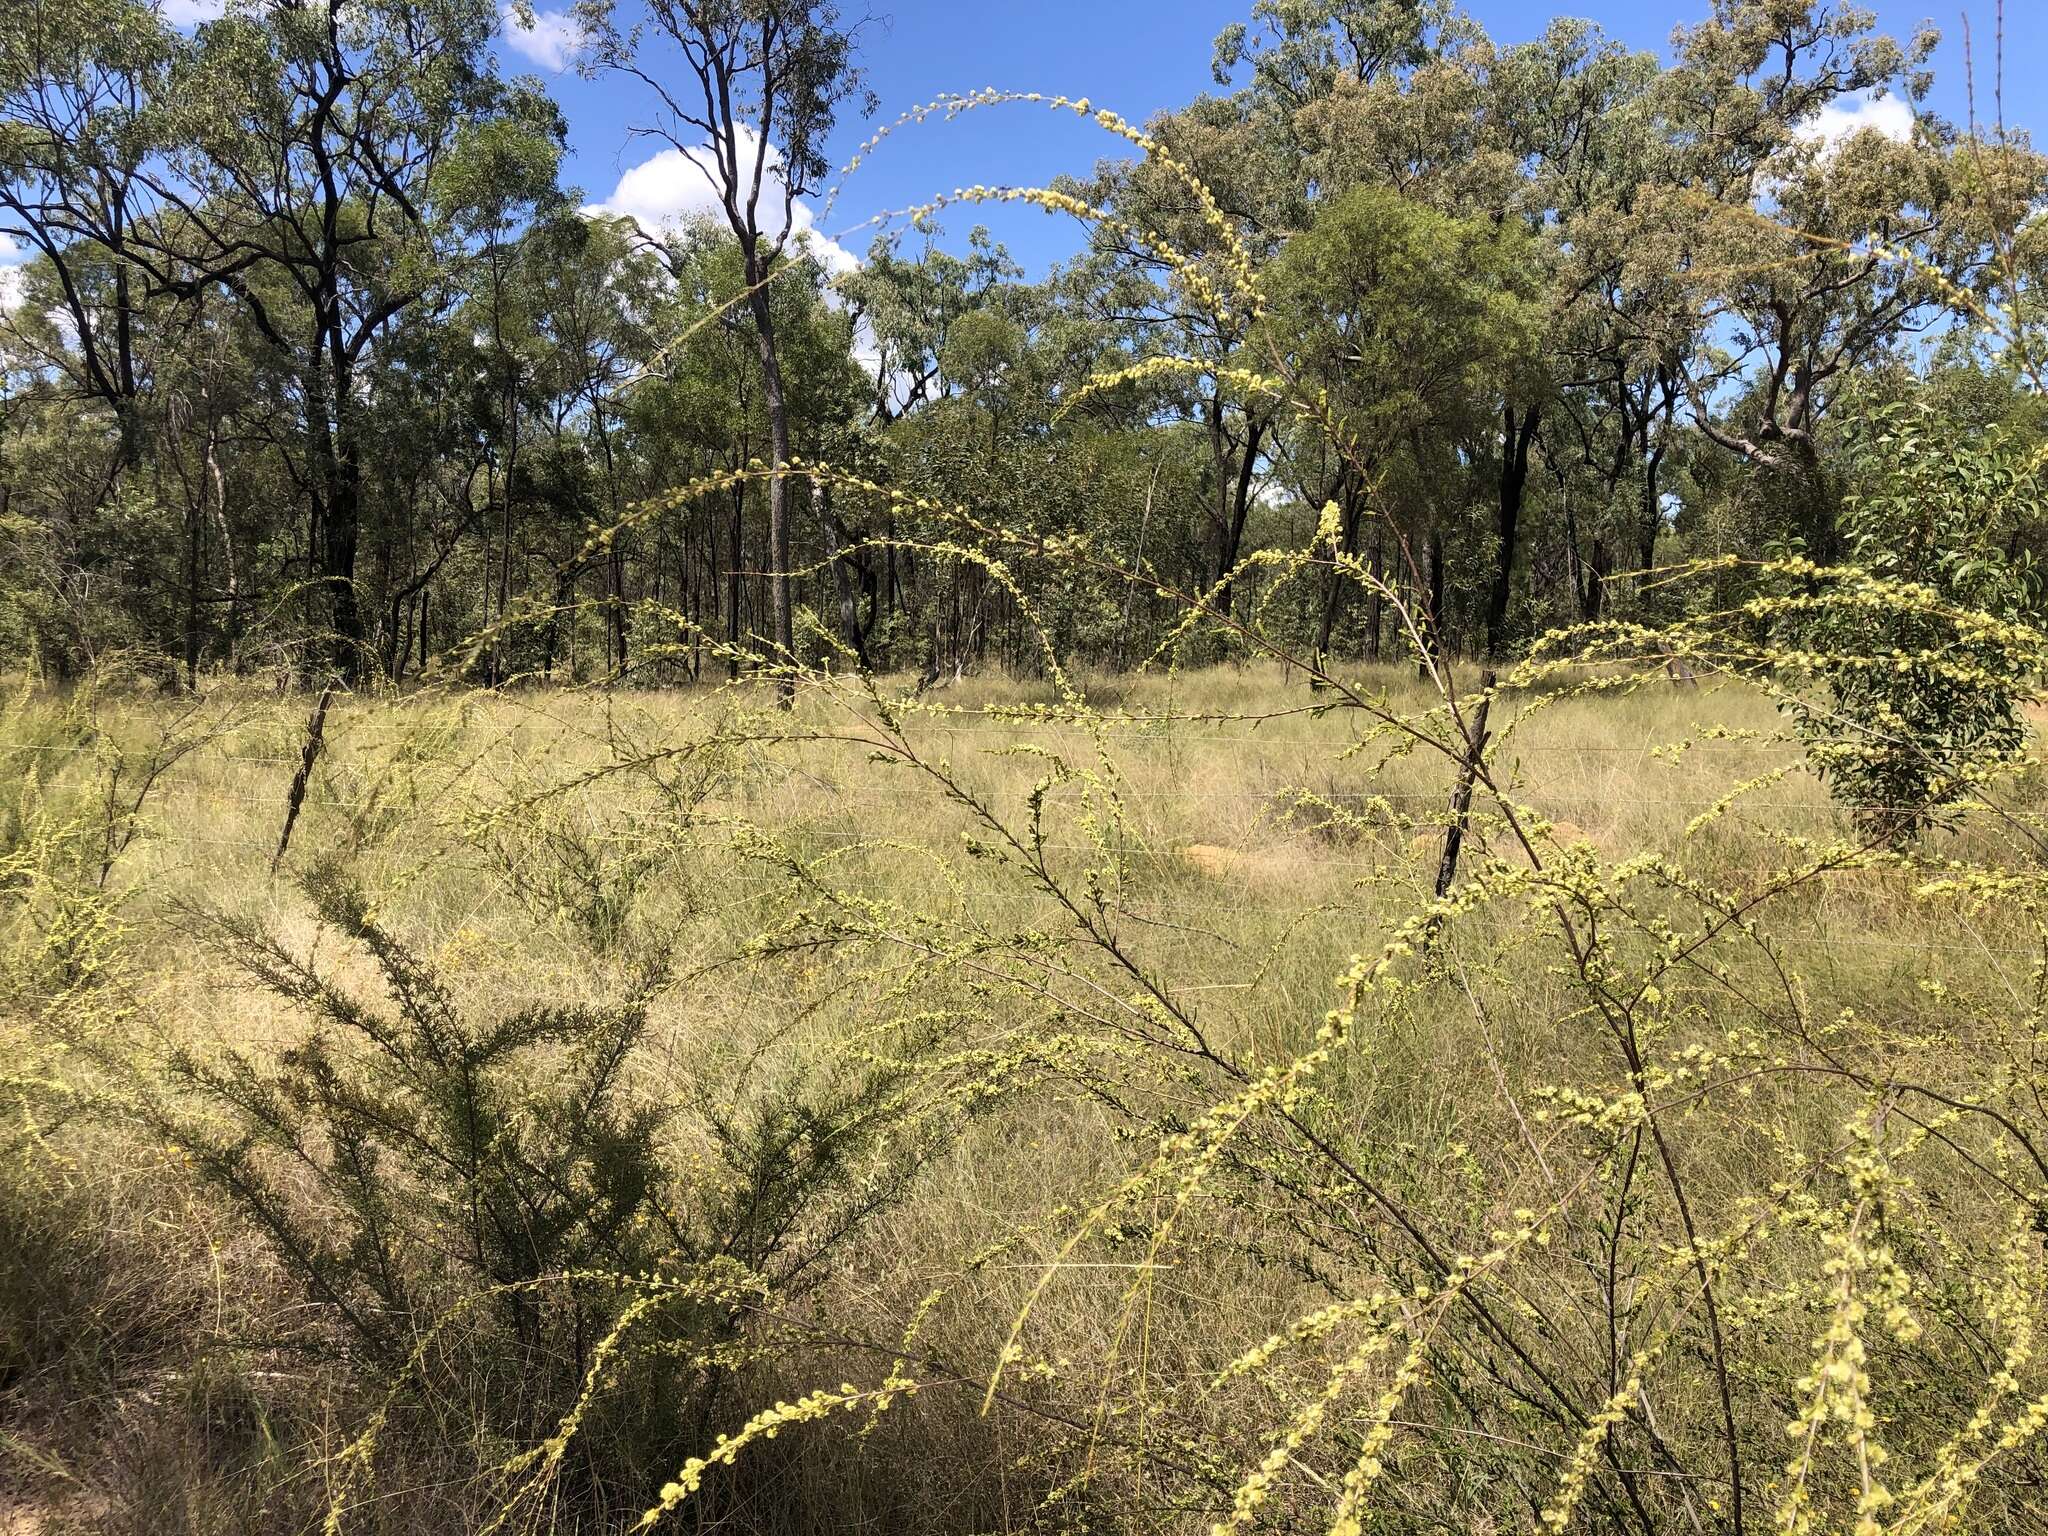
1136 56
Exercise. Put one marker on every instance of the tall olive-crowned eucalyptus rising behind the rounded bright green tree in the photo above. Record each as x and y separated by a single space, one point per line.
1558 136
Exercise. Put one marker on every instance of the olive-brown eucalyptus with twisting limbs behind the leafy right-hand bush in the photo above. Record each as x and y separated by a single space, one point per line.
1805 255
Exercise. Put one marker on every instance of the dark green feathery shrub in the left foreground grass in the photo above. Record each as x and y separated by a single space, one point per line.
490 1205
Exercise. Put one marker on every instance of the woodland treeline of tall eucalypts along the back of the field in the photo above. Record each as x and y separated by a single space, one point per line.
318 368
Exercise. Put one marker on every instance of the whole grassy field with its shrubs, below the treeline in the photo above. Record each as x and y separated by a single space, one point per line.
1002 1115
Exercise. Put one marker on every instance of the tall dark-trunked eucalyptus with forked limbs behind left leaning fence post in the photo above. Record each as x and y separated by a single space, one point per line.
312 155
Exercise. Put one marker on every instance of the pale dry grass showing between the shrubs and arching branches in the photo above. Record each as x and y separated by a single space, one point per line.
1252 861
